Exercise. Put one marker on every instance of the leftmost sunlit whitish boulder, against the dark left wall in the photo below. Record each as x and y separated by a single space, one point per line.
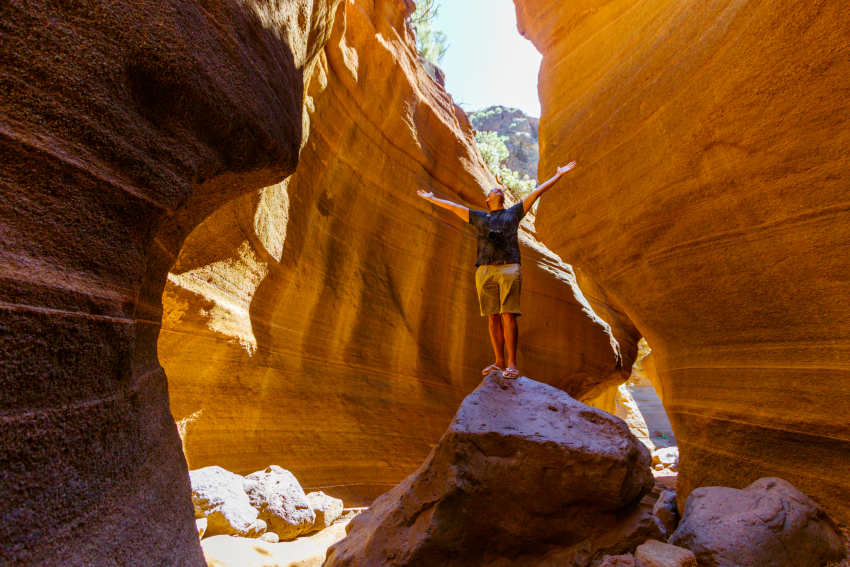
218 496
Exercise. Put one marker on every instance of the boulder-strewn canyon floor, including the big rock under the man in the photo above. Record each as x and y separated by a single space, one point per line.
526 476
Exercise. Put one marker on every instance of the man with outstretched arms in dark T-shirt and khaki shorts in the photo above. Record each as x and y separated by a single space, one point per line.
498 278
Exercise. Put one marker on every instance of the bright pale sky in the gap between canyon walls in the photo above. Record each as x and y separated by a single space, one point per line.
488 63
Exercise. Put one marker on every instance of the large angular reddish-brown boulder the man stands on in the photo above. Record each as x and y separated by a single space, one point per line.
519 470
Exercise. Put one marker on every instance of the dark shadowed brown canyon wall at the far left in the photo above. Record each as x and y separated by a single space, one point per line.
122 126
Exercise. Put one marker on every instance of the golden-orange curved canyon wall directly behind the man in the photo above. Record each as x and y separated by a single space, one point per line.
330 324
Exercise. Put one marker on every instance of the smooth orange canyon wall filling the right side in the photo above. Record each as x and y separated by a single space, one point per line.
711 202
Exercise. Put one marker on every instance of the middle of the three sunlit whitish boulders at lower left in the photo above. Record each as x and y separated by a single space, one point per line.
280 501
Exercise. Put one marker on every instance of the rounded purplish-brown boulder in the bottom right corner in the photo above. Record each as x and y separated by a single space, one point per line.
768 524
